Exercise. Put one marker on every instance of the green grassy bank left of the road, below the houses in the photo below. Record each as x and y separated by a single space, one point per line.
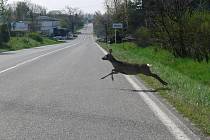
18 43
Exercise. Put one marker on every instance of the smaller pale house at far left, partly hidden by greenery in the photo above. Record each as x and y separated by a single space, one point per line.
19 26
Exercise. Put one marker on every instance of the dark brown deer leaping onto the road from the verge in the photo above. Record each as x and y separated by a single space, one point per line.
129 69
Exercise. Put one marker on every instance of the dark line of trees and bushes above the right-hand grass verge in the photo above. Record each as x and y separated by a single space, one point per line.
180 26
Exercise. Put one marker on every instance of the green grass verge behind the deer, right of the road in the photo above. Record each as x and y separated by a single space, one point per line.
188 80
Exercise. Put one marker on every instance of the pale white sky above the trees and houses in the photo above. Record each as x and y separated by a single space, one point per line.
87 6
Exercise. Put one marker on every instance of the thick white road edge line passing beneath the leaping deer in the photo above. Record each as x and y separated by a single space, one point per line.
163 117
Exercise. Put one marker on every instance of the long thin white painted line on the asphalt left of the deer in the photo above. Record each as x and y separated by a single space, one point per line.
38 57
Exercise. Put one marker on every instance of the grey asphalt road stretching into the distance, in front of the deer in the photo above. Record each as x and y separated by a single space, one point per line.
55 93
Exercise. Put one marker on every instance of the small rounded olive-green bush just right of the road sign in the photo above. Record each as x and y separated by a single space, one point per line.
143 36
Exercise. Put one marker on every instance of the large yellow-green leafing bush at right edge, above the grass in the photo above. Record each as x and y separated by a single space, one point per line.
186 37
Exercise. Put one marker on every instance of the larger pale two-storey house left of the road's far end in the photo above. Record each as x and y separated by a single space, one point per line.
47 24
